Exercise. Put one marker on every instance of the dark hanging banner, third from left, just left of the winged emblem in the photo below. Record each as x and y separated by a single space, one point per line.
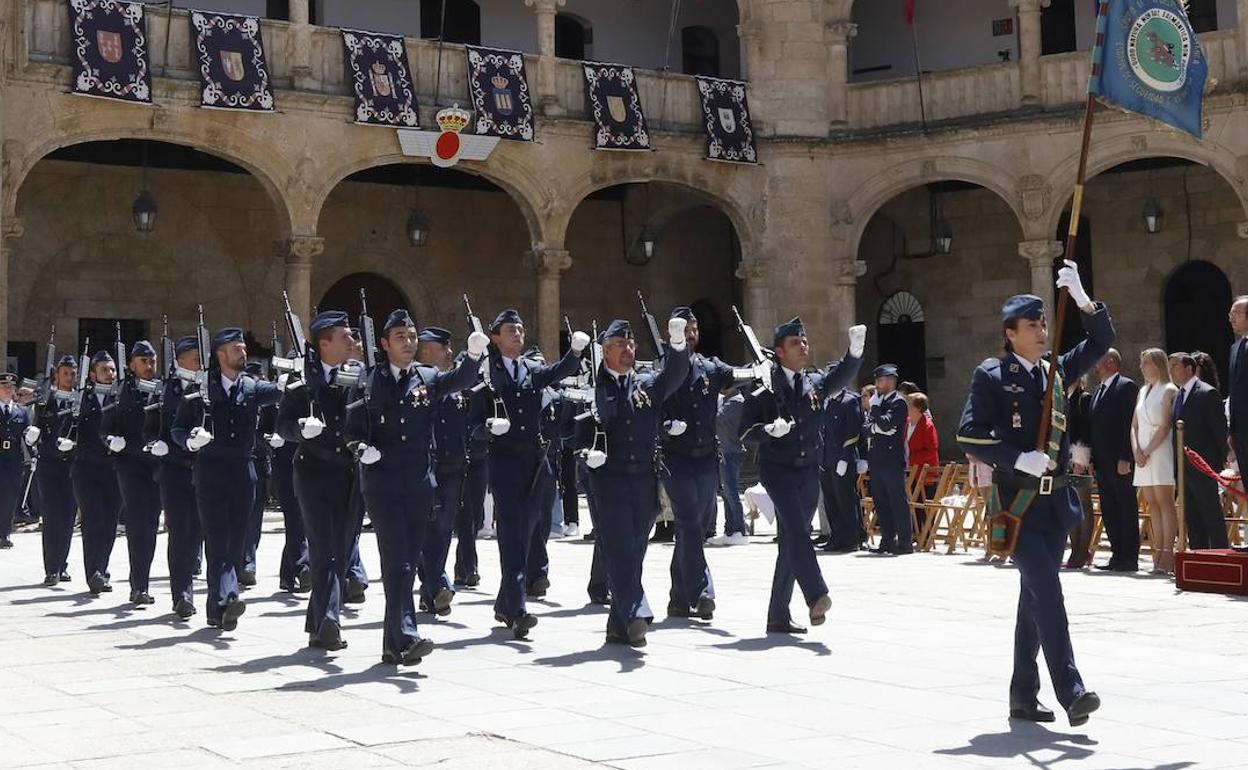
381 77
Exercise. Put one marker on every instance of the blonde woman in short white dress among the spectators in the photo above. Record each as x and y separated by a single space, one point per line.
1155 455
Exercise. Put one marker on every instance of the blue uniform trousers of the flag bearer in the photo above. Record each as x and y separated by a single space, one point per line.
1041 623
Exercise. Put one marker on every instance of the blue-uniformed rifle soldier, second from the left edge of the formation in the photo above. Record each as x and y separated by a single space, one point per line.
51 425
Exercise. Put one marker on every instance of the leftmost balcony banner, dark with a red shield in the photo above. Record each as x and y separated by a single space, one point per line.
110 51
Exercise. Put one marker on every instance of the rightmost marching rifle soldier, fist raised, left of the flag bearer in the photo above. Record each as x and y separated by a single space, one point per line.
789 416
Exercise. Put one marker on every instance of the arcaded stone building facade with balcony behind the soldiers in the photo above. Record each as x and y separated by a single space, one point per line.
833 223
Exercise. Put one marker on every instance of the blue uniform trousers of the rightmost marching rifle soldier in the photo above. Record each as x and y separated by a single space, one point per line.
796 495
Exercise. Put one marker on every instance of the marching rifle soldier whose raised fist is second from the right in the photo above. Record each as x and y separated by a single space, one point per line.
625 472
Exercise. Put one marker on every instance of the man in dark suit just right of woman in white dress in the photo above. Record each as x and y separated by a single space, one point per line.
1205 432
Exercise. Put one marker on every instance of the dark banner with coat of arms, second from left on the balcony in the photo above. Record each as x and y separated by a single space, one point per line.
230 54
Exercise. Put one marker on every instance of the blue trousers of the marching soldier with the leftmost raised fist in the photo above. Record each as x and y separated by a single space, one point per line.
400 509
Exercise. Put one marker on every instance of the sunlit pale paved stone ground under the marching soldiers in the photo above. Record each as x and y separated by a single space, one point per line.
909 673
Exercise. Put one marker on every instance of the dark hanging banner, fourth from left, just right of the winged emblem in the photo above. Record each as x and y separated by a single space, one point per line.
500 93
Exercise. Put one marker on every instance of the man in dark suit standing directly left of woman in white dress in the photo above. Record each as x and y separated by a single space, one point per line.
1113 406
